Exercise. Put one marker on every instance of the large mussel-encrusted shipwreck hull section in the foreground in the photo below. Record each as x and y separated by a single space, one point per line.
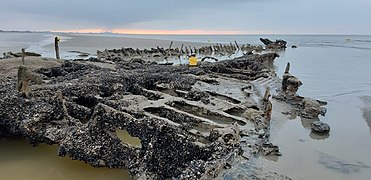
188 119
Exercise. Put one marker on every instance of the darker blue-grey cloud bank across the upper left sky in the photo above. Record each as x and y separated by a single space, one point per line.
110 12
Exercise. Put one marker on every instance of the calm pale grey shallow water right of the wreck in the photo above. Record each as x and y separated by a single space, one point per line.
339 75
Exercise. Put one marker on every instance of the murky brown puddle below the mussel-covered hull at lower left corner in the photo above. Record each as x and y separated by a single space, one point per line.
20 161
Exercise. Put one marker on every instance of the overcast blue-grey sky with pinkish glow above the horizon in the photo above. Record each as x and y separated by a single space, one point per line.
235 16
